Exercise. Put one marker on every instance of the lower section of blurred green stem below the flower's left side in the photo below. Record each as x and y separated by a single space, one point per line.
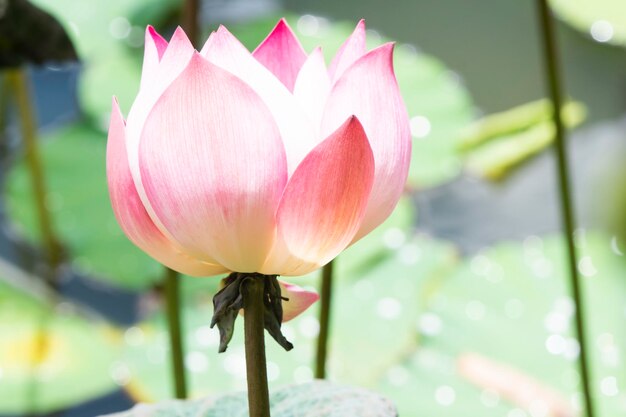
176 344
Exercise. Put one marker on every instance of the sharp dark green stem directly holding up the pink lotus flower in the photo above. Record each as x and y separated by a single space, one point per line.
256 368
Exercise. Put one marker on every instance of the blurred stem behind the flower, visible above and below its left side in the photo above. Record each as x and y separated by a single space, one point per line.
172 278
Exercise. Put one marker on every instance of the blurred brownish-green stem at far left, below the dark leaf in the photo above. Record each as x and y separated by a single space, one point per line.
18 82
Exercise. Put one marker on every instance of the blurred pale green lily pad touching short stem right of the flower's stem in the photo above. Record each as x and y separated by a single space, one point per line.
374 312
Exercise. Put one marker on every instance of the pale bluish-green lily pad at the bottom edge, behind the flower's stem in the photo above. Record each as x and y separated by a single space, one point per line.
316 399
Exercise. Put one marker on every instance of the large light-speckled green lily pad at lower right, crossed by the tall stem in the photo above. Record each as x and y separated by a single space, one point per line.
510 304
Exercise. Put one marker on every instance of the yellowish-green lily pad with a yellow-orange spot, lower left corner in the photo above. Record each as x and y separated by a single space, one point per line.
50 359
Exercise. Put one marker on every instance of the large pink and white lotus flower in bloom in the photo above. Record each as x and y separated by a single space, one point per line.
266 162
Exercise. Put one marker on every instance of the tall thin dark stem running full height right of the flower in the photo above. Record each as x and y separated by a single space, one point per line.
552 74
